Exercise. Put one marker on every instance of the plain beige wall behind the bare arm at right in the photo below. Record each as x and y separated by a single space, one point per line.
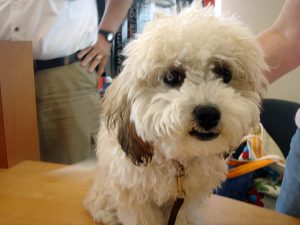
259 14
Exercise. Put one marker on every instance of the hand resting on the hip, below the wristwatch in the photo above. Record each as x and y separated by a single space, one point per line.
96 55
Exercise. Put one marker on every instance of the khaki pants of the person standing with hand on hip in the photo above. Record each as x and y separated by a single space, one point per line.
68 108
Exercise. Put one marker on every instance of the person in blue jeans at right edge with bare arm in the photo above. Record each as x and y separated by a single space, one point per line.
281 43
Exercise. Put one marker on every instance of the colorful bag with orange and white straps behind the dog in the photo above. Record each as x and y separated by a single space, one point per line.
255 170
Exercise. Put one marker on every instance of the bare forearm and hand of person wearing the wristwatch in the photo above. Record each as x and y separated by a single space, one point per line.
97 55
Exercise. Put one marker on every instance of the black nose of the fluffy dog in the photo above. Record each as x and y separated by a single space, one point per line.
207 116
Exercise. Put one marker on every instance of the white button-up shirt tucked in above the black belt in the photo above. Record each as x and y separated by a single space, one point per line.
56 28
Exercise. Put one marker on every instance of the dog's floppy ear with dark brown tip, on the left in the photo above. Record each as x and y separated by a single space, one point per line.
116 115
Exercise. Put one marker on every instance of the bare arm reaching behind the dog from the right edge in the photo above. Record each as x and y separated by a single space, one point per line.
281 41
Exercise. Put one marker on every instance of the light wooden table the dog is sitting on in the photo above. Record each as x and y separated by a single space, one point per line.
29 195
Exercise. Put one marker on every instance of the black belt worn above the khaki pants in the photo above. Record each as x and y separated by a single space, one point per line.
51 63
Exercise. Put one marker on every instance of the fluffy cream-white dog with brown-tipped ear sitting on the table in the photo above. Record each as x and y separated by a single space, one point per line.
189 91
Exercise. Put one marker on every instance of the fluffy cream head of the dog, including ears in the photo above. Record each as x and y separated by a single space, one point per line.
191 86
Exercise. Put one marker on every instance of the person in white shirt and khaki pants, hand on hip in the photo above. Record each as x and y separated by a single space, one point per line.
68 44
